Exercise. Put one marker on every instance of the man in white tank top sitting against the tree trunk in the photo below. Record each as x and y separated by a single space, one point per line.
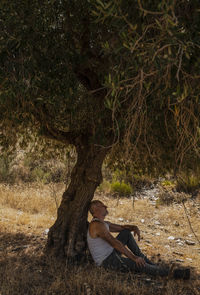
107 250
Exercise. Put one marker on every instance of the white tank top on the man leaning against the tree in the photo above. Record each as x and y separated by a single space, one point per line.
99 248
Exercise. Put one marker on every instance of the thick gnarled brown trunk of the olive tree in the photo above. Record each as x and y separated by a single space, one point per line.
67 237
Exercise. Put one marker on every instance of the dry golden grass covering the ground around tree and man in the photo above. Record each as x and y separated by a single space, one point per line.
27 211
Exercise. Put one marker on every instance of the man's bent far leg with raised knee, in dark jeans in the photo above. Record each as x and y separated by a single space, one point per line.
128 240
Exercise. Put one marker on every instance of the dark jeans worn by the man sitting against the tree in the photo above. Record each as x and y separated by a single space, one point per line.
116 262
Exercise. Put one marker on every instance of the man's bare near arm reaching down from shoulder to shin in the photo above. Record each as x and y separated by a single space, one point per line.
102 232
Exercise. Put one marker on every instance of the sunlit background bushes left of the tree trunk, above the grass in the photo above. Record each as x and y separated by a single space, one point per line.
24 166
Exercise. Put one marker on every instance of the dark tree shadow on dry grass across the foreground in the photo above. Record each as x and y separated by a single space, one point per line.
24 269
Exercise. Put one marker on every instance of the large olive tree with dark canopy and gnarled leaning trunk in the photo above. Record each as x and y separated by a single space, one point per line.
103 76
